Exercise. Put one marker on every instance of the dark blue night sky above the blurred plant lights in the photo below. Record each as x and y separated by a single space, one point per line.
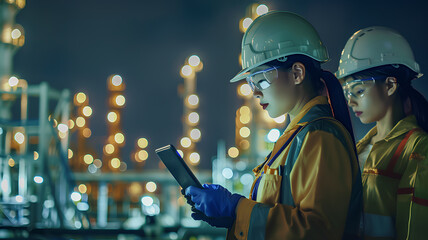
78 44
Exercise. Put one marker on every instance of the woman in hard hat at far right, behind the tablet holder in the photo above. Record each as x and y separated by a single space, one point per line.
377 68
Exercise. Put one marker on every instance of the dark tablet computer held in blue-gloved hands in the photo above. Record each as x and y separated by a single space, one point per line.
177 167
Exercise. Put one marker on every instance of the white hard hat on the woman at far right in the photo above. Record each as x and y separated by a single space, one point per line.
373 47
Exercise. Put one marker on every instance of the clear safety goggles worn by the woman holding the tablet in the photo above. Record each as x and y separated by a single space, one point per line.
261 80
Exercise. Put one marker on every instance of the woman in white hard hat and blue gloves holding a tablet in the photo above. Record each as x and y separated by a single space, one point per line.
309 187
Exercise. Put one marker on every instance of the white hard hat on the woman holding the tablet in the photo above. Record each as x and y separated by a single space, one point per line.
276 35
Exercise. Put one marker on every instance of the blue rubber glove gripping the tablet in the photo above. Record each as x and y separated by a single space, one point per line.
214 200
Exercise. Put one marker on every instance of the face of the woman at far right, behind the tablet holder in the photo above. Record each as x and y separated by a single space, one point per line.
369 100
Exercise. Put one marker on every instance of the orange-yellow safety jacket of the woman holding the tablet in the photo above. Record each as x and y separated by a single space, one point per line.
307 185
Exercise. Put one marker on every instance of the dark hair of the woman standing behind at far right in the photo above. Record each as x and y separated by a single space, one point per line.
412 100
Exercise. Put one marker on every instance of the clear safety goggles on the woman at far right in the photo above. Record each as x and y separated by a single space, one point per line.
359 87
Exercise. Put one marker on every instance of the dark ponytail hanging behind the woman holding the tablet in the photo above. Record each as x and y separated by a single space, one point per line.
337 100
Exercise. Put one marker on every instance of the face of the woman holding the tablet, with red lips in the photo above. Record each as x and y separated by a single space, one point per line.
279 97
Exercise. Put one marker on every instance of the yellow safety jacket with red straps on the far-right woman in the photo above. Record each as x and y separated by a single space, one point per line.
395 183
